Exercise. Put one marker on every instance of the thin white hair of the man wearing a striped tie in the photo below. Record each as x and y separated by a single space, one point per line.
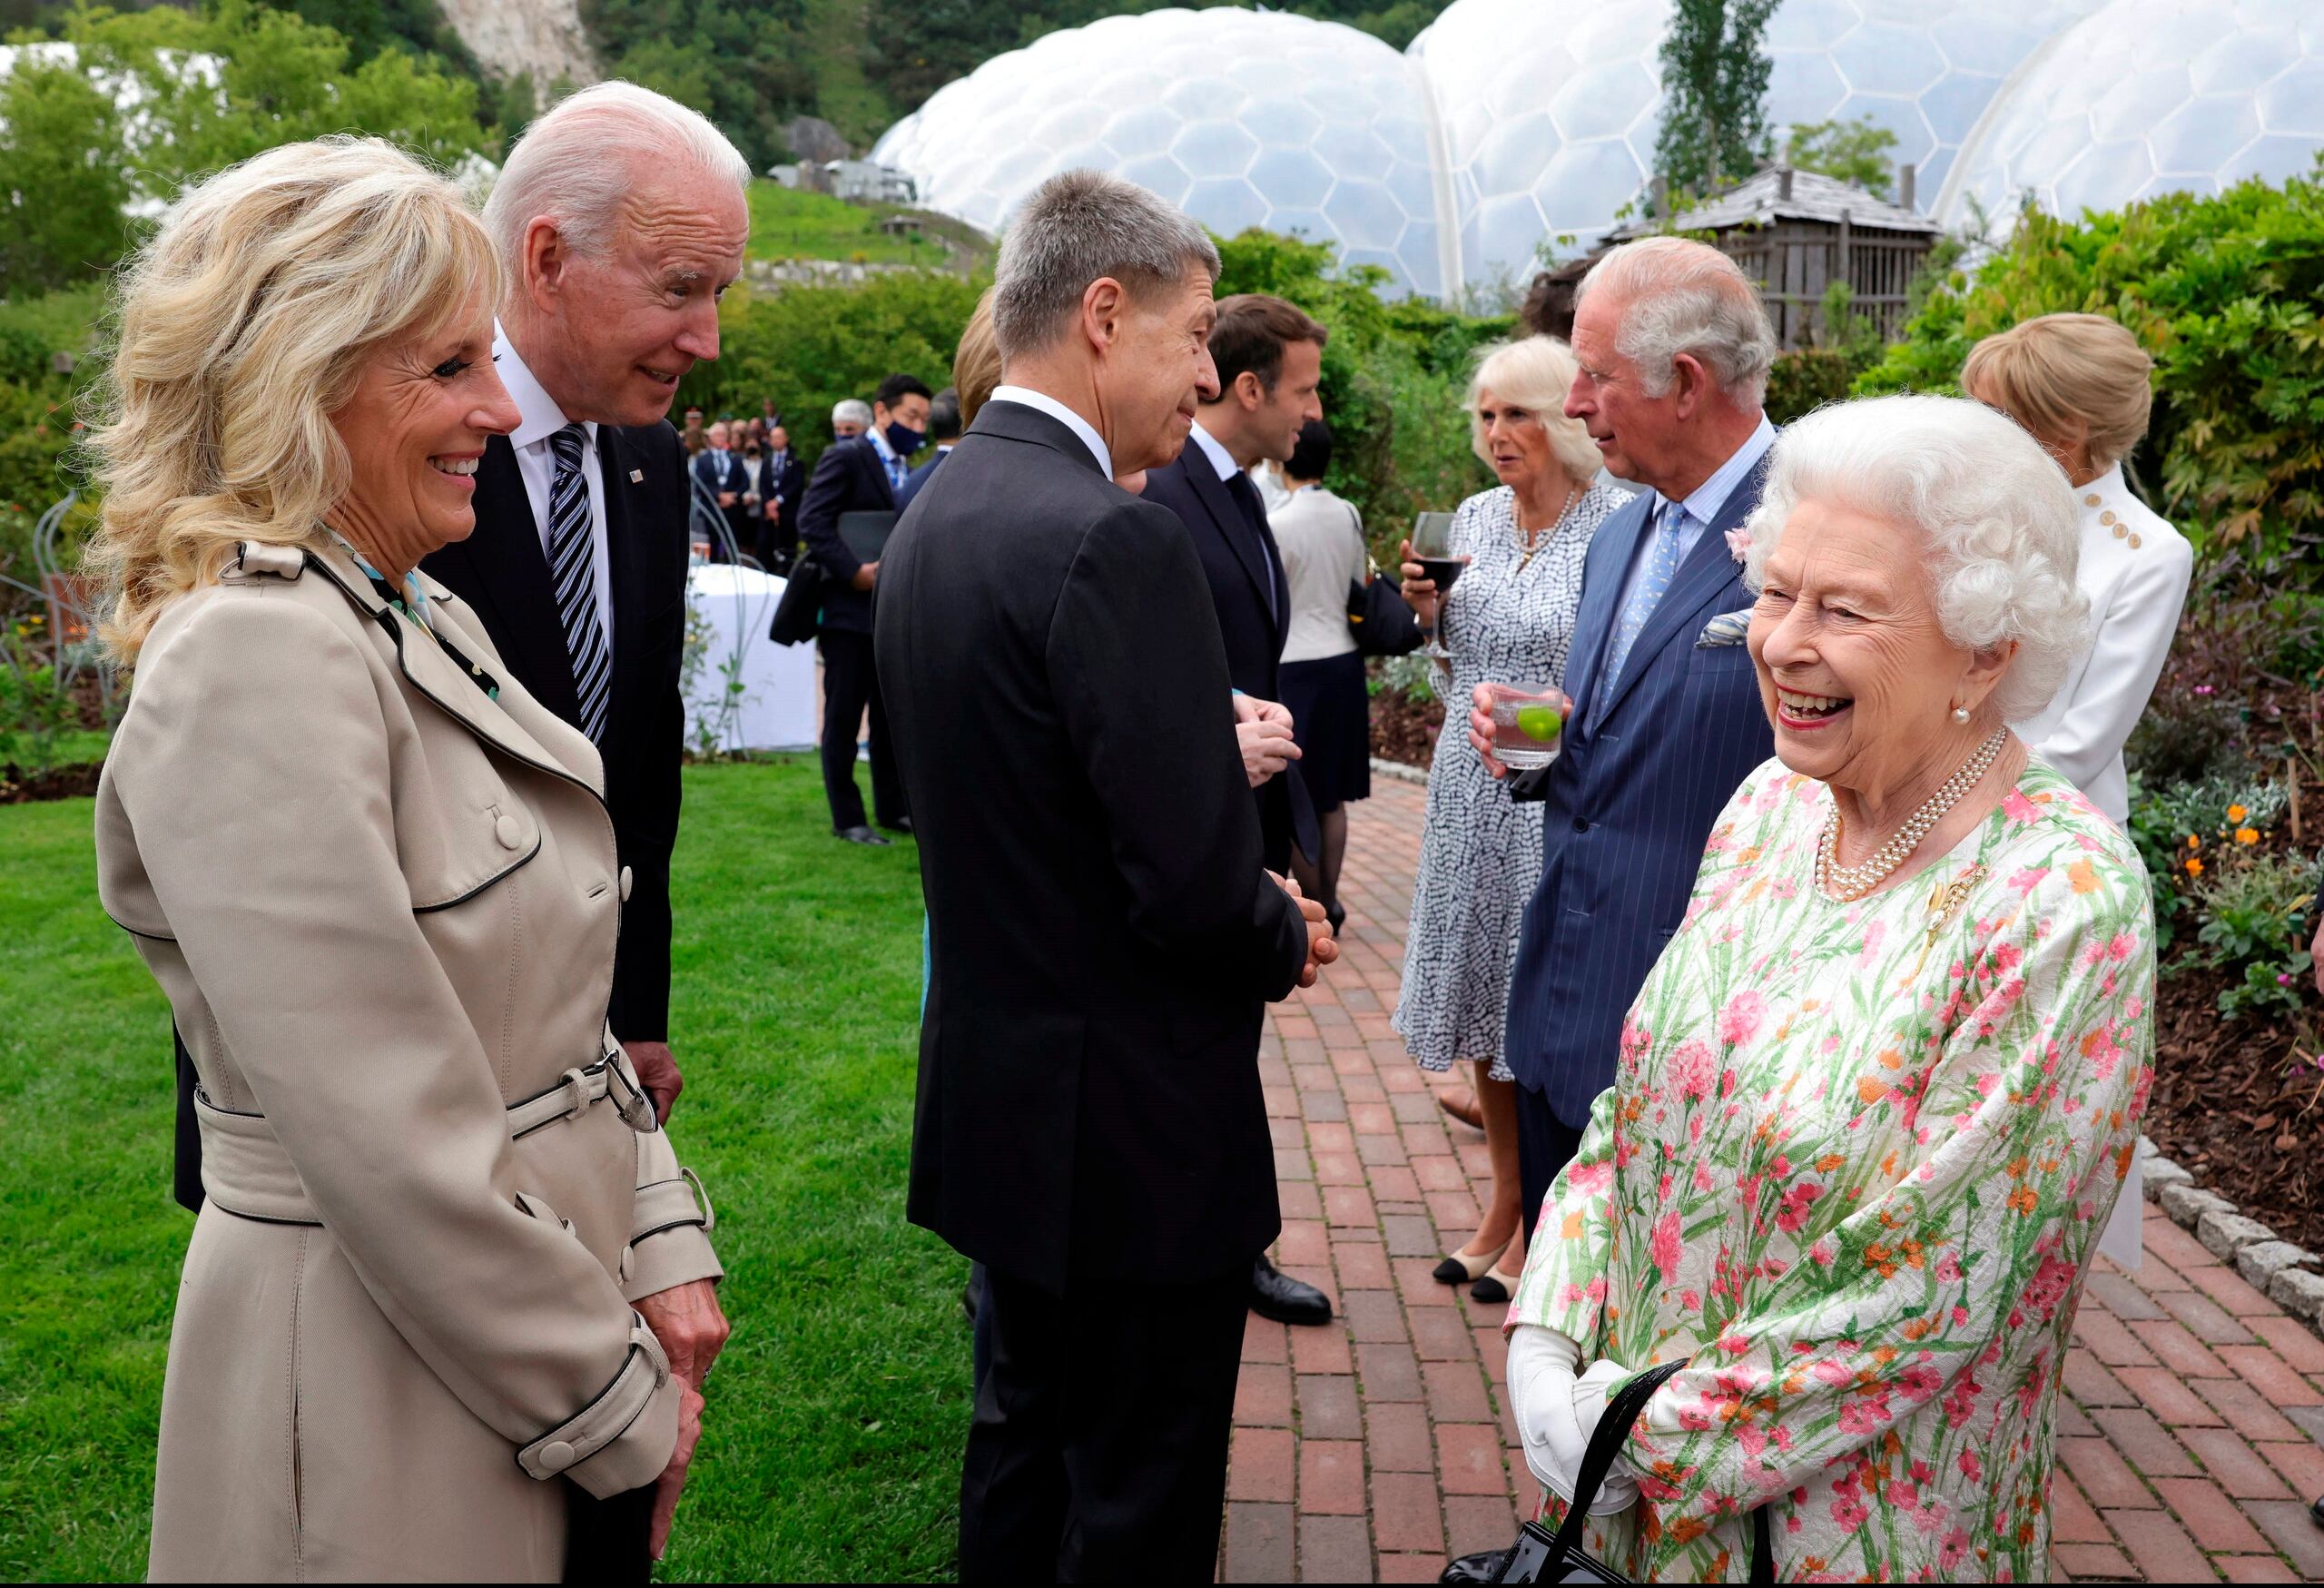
584 157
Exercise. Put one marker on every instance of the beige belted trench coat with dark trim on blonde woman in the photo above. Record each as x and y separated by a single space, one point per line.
385 913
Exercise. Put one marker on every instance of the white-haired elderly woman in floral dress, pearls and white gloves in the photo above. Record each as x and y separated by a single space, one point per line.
1877 1099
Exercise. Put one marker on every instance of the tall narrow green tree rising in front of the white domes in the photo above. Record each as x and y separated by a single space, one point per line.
1714 94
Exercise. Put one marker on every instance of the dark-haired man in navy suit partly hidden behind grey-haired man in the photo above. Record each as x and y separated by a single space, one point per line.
1270 366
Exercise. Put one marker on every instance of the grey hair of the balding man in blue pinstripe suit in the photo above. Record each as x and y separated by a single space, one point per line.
1684 296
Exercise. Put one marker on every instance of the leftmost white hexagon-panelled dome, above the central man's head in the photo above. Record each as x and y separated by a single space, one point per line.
1242 117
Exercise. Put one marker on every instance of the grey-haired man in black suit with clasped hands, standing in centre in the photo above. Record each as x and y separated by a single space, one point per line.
1103 929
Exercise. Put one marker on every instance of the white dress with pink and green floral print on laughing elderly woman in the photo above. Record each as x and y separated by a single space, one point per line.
1853 1168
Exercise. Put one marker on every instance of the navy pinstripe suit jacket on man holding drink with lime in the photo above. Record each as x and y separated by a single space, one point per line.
1630 803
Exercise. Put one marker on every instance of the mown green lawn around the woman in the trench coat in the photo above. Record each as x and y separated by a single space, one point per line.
833 1436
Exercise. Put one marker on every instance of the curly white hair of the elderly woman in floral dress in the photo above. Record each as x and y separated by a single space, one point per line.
1993 510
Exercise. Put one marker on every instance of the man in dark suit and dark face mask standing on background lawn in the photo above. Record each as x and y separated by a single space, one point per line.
861 473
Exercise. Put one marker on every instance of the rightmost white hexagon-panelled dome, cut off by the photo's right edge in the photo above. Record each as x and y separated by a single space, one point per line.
2151 96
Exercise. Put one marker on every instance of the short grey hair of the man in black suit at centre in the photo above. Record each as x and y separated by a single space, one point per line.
1073 231
